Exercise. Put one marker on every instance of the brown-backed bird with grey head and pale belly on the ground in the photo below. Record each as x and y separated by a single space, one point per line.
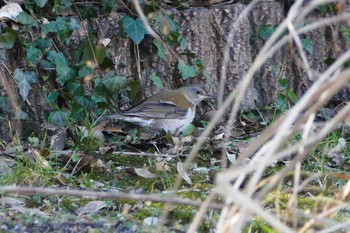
168 110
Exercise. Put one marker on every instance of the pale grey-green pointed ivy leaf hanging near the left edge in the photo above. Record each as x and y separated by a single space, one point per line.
24 81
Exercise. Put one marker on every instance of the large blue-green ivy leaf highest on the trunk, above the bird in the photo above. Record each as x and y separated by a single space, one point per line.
134 28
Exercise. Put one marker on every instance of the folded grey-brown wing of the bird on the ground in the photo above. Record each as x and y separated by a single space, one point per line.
158 110
